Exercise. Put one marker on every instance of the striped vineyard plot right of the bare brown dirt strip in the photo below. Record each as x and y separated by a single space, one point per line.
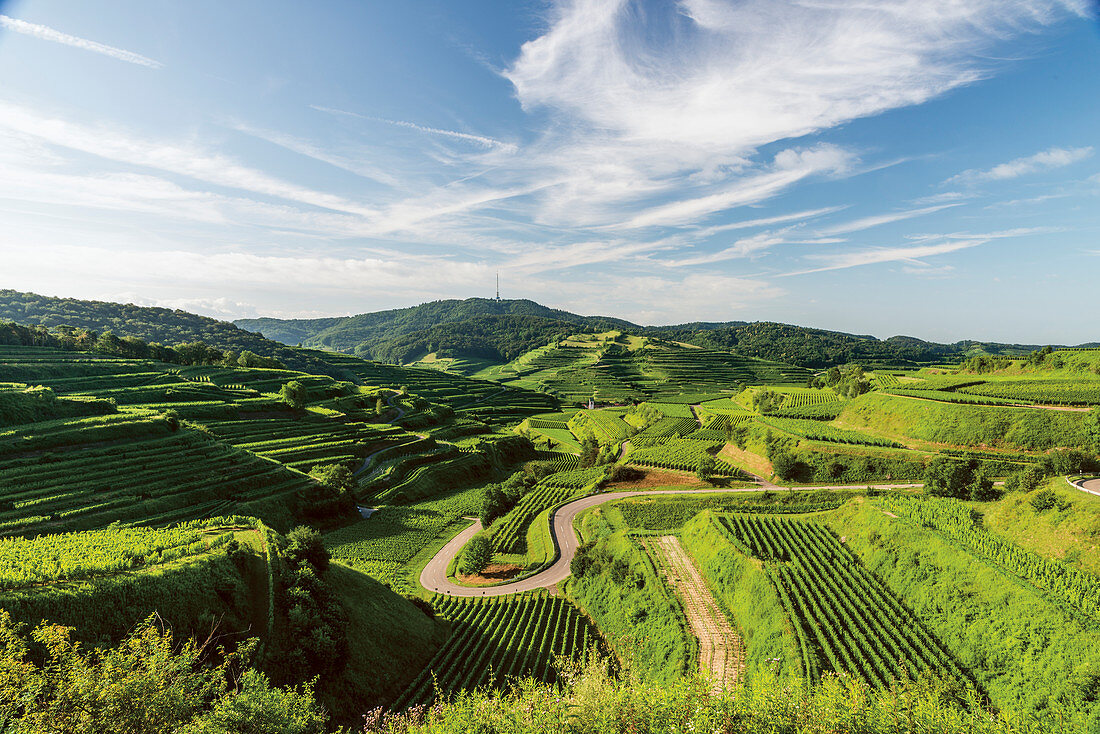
845 618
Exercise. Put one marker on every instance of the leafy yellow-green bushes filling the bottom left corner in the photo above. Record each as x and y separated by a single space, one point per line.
148 685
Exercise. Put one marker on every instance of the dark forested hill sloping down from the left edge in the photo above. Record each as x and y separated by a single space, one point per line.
166 326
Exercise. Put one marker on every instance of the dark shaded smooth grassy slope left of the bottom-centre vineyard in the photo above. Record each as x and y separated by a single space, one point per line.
390 641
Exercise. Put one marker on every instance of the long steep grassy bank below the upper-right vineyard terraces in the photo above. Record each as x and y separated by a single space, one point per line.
964 425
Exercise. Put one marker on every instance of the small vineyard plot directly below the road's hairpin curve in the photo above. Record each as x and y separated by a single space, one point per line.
498 640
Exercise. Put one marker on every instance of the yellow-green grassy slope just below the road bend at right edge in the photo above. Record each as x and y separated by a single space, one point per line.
1071 535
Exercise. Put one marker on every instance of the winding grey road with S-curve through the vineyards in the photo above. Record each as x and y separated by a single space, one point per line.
434 577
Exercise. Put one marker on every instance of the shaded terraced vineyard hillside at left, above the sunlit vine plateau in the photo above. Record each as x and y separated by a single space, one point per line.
73 475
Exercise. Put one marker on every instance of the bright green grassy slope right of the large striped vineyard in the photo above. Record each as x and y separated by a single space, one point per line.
1025 651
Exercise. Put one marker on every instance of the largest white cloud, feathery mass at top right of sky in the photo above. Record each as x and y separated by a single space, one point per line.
683 112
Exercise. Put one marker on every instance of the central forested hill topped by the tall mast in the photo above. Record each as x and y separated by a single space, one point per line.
476 327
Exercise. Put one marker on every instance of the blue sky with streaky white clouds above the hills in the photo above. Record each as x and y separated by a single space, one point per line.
929 168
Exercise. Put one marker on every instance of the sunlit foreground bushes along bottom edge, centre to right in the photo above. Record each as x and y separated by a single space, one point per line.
591 703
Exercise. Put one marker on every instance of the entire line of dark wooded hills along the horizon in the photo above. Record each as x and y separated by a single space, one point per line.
482 328
